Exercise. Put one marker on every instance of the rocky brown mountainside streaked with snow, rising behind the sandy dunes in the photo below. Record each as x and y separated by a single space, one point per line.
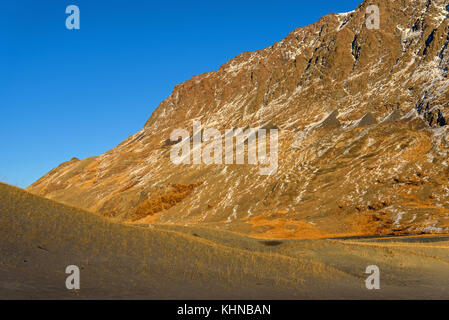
363 139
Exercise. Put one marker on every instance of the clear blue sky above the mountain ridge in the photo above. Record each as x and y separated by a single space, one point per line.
78 93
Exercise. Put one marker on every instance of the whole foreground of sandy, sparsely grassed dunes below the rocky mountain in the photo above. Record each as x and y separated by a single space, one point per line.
39 238
